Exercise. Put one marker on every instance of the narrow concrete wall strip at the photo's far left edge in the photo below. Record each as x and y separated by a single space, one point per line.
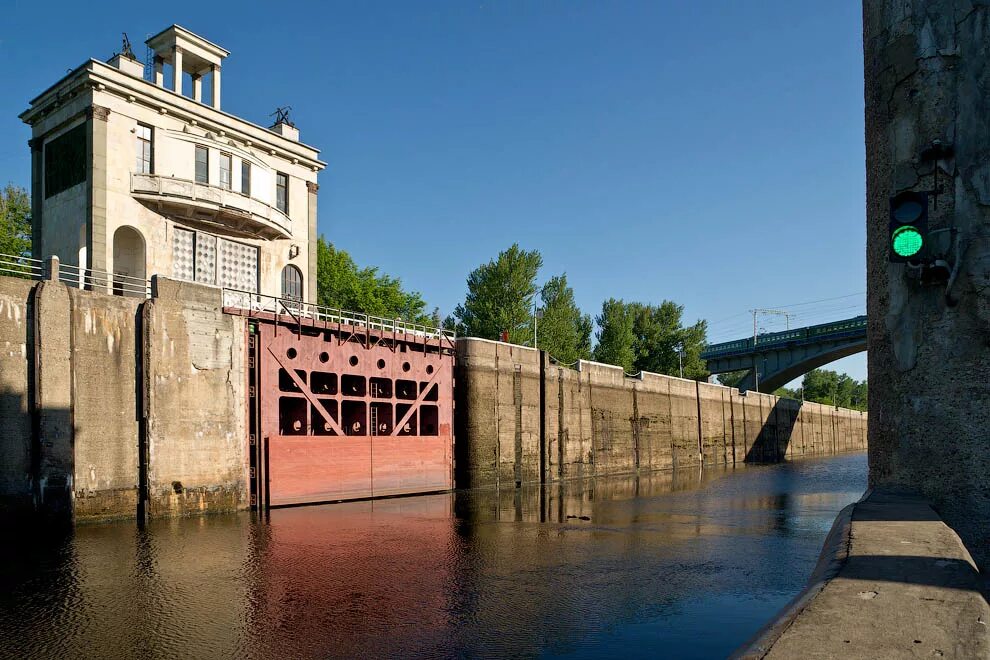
16 344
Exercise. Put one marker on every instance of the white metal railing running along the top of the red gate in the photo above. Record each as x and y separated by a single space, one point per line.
261 303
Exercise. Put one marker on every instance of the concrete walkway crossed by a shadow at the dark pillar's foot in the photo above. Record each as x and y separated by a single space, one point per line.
893 582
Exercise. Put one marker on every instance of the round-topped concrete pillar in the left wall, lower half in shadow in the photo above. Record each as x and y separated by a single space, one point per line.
53 485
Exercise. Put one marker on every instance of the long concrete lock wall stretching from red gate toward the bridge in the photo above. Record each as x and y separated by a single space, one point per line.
594 420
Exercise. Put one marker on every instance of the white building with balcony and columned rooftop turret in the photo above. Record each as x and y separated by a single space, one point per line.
135 177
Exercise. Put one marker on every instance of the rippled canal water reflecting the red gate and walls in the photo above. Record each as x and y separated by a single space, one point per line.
663 565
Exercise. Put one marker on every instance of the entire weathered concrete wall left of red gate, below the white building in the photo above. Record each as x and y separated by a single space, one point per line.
101 395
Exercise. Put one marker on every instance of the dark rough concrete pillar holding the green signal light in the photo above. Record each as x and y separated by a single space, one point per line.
927 69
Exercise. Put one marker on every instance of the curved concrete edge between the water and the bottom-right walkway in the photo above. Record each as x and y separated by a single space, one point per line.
834 553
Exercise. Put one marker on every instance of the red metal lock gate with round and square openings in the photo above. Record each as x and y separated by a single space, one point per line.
346 413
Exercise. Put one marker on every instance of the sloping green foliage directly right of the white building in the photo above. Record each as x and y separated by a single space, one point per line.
341 283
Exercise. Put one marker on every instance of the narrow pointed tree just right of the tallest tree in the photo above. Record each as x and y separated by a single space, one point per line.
563 332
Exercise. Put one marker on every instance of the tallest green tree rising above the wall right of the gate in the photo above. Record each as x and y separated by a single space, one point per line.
500 296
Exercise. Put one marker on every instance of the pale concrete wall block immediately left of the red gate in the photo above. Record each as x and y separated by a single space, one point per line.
195 391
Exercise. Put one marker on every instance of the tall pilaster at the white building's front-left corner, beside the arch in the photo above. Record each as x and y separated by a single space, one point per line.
96 188
